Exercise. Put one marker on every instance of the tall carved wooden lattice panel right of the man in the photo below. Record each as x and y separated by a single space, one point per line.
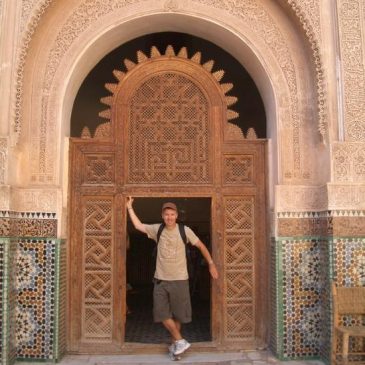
239 265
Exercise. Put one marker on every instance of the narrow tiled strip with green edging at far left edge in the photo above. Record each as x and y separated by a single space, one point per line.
7 301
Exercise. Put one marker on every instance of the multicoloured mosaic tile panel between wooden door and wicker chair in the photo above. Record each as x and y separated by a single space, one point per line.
301 277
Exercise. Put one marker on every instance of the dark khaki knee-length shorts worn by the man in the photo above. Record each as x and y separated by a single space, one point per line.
171 299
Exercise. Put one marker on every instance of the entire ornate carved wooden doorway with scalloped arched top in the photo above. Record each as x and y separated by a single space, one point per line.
167 134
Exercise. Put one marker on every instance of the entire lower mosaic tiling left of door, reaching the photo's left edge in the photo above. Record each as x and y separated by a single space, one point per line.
32 288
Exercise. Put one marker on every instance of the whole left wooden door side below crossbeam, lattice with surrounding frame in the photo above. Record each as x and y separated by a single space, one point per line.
95 275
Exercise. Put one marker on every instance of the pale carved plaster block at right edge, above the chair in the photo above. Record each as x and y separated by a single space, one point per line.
346 196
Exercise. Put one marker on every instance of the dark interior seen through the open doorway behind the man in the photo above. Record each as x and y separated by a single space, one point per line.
140 328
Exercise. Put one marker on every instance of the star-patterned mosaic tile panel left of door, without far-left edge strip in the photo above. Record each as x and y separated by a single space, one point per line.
40 282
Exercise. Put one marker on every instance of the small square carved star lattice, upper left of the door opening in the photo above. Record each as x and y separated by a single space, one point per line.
99 169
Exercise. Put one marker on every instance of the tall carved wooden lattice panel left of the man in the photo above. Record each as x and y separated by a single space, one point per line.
97 274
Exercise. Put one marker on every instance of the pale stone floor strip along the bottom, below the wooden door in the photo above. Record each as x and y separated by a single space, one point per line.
218 358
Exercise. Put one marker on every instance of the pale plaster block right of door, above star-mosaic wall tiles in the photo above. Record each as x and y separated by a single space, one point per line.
296 198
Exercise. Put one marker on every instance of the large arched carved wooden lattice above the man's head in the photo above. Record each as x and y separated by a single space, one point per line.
169 132
